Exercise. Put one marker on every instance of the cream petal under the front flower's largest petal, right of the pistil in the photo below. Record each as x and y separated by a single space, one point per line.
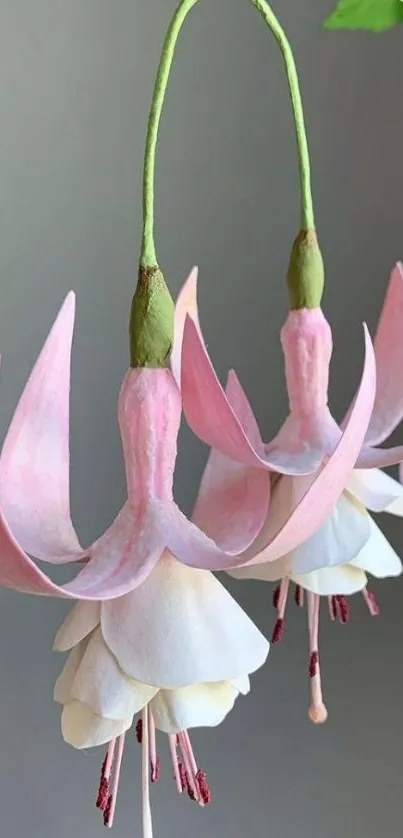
200 705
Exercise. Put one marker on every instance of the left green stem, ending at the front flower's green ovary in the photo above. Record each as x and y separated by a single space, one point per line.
147 254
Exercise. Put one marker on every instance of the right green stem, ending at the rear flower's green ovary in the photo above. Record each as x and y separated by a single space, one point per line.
307 214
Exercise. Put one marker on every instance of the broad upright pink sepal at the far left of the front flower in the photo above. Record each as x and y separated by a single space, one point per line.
34 463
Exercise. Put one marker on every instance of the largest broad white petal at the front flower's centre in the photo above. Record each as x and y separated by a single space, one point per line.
181 627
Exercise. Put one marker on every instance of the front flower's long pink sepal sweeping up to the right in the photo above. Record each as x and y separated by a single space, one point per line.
314 497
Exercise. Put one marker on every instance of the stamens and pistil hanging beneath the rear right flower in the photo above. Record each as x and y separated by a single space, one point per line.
338 610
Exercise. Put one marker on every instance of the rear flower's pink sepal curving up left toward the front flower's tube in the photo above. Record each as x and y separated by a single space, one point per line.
212 418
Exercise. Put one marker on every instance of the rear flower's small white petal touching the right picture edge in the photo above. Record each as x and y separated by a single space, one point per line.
376 490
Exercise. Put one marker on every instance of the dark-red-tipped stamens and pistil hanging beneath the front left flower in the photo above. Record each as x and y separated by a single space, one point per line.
188 777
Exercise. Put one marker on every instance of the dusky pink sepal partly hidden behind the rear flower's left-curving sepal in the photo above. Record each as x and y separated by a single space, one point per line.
233 499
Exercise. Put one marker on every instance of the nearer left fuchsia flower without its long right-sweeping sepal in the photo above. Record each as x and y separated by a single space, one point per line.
149 634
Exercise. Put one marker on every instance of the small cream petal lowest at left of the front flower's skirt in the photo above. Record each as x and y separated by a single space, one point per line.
82 728
